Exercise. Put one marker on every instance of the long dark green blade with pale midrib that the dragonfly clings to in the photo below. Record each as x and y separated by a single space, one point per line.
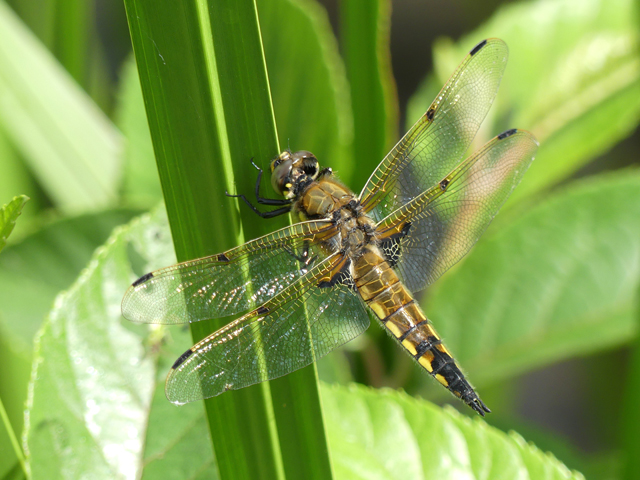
213 106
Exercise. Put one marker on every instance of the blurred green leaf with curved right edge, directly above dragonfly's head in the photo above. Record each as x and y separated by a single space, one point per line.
308 81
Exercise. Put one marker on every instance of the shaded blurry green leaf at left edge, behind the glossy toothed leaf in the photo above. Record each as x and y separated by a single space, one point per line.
32 272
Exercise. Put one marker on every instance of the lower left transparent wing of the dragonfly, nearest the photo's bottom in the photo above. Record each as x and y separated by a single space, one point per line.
273 340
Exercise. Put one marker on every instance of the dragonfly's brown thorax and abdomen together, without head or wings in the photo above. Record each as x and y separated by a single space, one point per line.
378 284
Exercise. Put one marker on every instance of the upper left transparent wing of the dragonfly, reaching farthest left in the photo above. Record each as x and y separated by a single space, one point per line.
228 283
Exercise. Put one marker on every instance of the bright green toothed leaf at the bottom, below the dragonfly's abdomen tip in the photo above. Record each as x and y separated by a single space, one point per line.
384 434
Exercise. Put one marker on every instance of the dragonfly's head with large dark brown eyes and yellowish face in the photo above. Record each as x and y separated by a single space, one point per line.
291 169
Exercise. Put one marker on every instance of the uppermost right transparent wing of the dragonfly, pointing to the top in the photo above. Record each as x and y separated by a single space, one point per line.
436 143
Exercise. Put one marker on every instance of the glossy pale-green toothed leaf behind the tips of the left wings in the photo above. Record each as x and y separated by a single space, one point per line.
97 407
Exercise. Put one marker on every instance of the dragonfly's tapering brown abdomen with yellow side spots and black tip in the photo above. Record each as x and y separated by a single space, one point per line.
393 304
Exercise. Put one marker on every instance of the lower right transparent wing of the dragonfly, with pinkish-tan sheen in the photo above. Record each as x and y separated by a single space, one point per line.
440 226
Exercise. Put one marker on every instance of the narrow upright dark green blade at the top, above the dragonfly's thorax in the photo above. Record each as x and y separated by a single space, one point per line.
364 28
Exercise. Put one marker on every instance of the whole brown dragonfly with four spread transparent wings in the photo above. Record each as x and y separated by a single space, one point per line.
304 290
